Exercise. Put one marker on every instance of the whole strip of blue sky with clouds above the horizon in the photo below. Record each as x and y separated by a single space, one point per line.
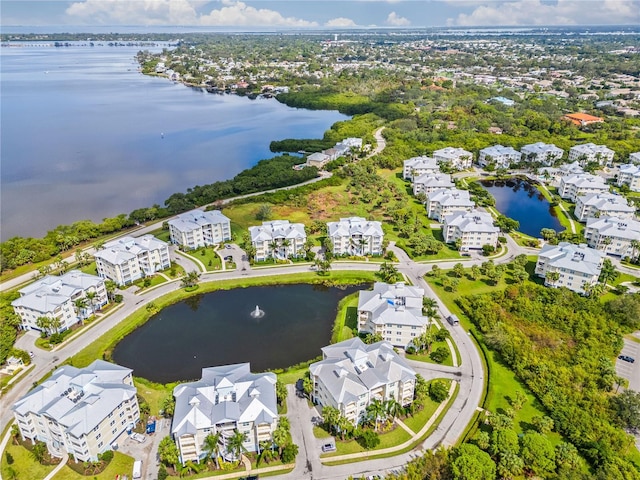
319 13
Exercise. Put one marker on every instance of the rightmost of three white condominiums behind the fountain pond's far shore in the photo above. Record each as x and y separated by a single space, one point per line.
356 236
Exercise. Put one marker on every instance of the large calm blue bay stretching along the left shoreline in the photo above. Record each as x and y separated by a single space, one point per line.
82 135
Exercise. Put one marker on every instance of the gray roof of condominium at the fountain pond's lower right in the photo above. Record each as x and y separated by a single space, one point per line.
351 368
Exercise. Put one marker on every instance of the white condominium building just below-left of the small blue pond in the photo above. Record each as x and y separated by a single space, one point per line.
472 229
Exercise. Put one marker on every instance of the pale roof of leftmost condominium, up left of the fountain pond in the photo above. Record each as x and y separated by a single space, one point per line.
48 293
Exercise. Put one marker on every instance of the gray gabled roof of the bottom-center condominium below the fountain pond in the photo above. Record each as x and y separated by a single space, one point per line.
228 393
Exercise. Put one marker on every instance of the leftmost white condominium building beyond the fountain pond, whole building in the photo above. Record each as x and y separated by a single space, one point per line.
57 298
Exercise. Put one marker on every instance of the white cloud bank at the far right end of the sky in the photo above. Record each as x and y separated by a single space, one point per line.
562 12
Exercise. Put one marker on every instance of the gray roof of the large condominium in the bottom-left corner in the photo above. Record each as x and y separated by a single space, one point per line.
79 399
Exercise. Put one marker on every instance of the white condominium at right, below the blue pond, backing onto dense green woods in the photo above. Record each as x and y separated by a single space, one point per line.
576 266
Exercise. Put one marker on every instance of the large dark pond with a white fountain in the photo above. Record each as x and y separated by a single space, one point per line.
217 329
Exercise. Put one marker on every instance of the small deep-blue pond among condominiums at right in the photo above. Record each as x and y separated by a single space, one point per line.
520 200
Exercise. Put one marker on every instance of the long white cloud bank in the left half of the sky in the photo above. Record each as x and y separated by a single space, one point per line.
179 12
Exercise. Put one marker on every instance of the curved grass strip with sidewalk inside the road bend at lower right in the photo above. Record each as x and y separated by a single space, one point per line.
399 440
